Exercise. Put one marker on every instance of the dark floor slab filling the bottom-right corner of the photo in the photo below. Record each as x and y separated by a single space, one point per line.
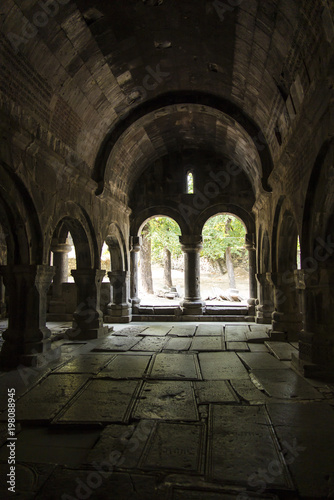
308 450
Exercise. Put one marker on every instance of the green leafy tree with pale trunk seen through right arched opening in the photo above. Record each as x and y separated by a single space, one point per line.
223 240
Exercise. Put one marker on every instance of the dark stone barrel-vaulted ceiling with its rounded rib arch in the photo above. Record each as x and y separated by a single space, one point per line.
121 83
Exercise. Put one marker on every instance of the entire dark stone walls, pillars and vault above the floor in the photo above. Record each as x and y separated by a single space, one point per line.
105 111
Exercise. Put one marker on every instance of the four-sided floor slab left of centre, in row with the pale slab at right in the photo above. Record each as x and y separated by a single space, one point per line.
125 366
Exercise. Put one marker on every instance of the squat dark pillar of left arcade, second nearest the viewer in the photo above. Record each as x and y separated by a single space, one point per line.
88 318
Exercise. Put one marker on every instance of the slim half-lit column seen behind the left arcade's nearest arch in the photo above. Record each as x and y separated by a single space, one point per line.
60 261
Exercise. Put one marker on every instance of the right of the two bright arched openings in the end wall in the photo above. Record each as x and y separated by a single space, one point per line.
224 261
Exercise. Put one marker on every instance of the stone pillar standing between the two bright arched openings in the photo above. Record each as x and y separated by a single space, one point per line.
192 302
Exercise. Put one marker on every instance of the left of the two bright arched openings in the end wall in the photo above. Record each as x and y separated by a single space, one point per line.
161 277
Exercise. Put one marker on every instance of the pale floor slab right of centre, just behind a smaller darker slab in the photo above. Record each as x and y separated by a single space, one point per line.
221 366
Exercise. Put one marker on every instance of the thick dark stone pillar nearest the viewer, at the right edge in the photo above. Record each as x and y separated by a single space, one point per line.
316 342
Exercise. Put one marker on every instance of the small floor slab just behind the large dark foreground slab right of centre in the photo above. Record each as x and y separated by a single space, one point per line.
218 391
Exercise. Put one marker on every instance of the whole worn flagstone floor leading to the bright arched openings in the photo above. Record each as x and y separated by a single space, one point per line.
169 411
